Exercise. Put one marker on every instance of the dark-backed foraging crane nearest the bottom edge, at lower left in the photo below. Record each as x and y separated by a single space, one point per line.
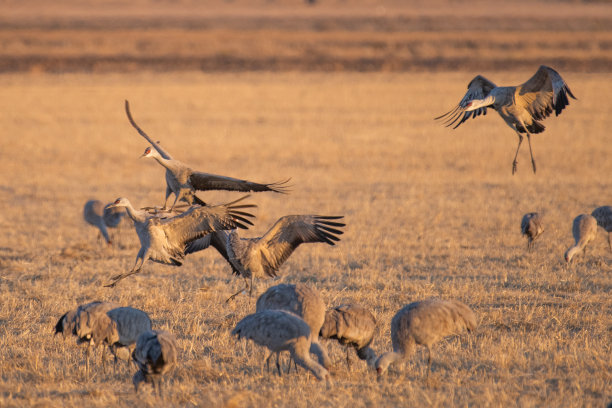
155 355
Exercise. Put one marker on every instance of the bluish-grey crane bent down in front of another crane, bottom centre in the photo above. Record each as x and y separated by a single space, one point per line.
279 330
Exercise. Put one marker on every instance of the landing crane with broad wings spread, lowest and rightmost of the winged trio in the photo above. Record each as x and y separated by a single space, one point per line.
263 256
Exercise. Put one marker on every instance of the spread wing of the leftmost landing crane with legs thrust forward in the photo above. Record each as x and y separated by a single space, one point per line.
199 221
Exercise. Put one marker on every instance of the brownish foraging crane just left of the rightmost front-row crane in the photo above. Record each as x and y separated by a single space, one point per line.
353 326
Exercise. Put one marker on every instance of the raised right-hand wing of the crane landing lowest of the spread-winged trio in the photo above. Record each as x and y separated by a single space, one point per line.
291 231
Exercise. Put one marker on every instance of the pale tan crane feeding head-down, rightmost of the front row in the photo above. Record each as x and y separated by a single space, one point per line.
425 323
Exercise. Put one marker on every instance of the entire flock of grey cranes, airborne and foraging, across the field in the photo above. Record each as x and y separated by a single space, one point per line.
294 317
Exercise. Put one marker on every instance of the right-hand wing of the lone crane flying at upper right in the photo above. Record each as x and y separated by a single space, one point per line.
544 92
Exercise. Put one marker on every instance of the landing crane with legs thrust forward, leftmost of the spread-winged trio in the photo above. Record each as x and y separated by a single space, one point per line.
165 240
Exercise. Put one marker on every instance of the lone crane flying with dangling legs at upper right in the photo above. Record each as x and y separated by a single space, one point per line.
522 107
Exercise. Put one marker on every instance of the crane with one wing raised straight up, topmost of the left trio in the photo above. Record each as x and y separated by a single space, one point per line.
184 182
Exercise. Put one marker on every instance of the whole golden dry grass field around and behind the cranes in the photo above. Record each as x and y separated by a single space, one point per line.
340 96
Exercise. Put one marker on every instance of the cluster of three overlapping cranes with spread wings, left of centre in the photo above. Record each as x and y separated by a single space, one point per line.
167 237
